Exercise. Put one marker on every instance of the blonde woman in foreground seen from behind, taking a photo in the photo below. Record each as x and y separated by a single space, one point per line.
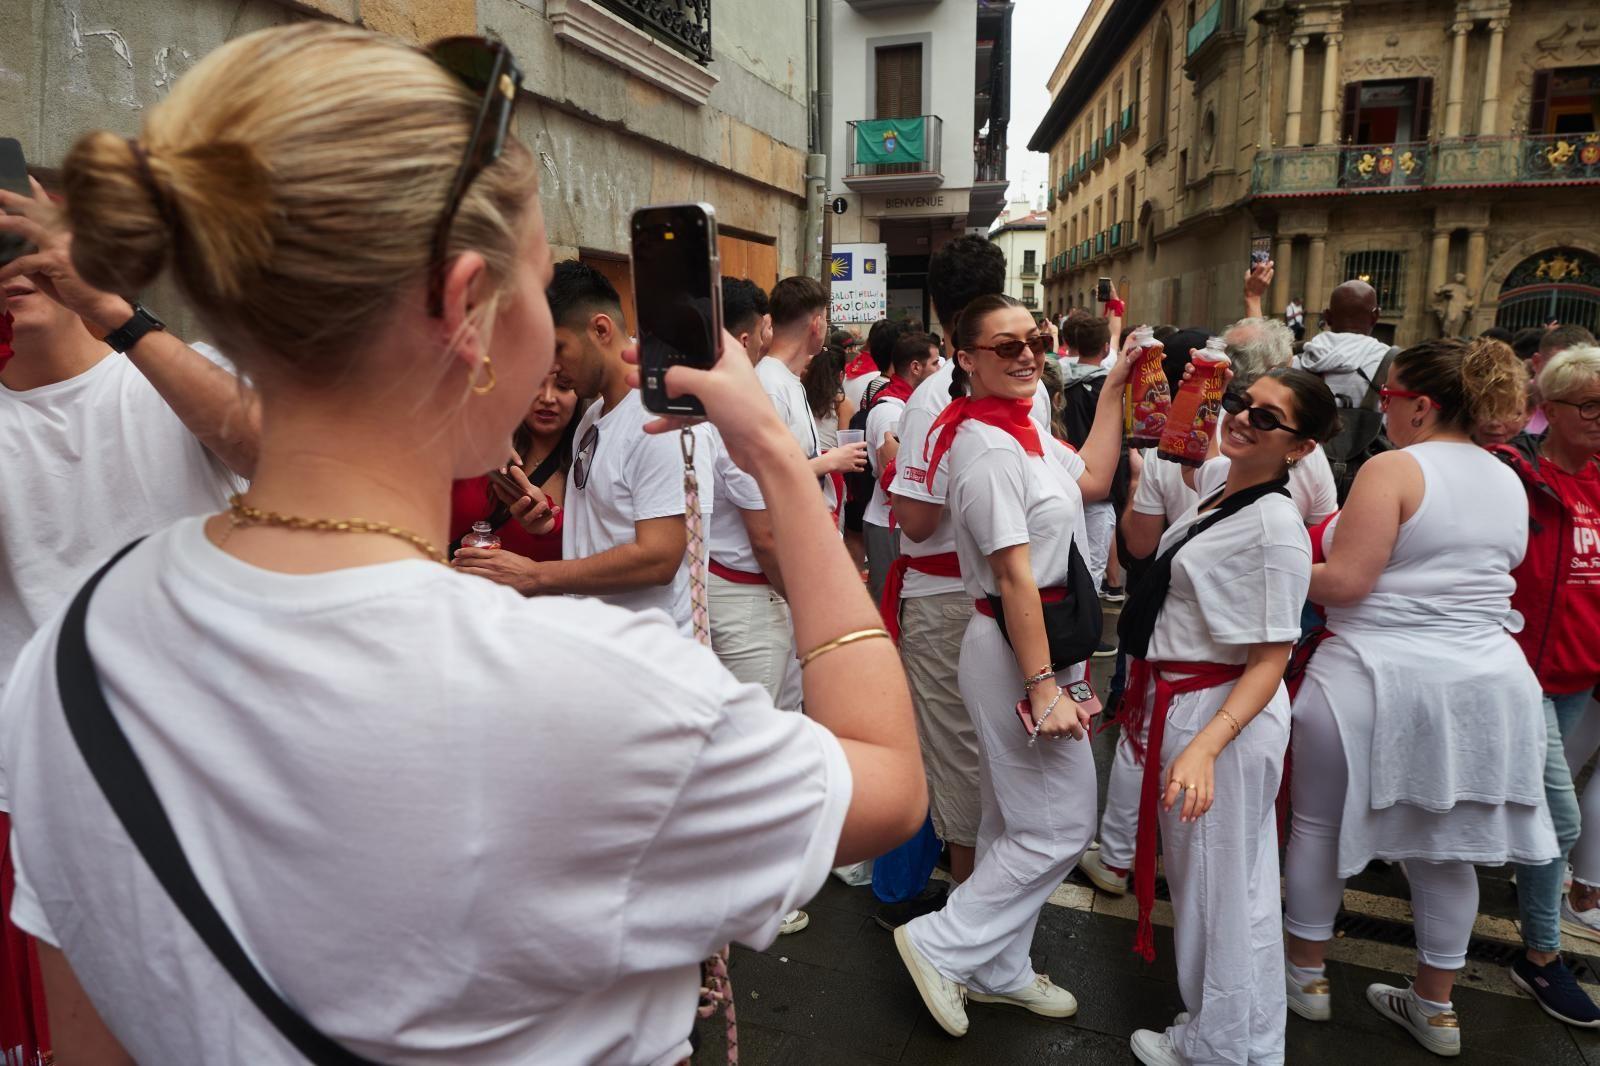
425 819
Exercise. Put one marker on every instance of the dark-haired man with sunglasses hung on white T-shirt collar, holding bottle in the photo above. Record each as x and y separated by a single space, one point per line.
623 534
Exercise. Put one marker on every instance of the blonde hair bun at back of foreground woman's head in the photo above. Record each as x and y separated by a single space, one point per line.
129 206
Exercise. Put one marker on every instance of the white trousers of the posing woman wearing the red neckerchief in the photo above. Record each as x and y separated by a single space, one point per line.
1038 820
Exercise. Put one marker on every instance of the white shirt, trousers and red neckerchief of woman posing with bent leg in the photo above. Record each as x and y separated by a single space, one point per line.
1010 486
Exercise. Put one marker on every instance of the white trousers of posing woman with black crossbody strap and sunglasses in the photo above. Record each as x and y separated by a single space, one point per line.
1223 873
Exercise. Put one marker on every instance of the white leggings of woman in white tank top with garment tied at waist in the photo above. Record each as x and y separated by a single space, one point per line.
1444 896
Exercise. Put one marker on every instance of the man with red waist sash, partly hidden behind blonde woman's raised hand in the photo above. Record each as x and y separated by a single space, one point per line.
751 630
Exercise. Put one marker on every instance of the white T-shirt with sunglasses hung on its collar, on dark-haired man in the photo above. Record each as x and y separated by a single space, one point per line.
633 478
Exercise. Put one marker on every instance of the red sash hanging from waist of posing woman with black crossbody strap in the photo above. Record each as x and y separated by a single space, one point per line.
1190 678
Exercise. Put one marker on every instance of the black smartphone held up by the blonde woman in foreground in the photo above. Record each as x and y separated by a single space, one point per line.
678 287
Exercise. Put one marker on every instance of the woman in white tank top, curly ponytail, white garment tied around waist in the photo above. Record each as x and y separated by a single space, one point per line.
1418 729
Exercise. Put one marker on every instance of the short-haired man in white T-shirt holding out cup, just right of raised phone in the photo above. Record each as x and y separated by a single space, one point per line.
799 311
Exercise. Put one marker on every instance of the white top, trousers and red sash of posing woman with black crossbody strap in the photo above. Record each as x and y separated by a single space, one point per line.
1239 583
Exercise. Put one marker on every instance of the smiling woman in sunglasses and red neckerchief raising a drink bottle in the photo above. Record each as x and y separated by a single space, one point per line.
1017 505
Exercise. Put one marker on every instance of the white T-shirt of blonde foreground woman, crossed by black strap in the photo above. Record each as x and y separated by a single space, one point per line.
450 824
